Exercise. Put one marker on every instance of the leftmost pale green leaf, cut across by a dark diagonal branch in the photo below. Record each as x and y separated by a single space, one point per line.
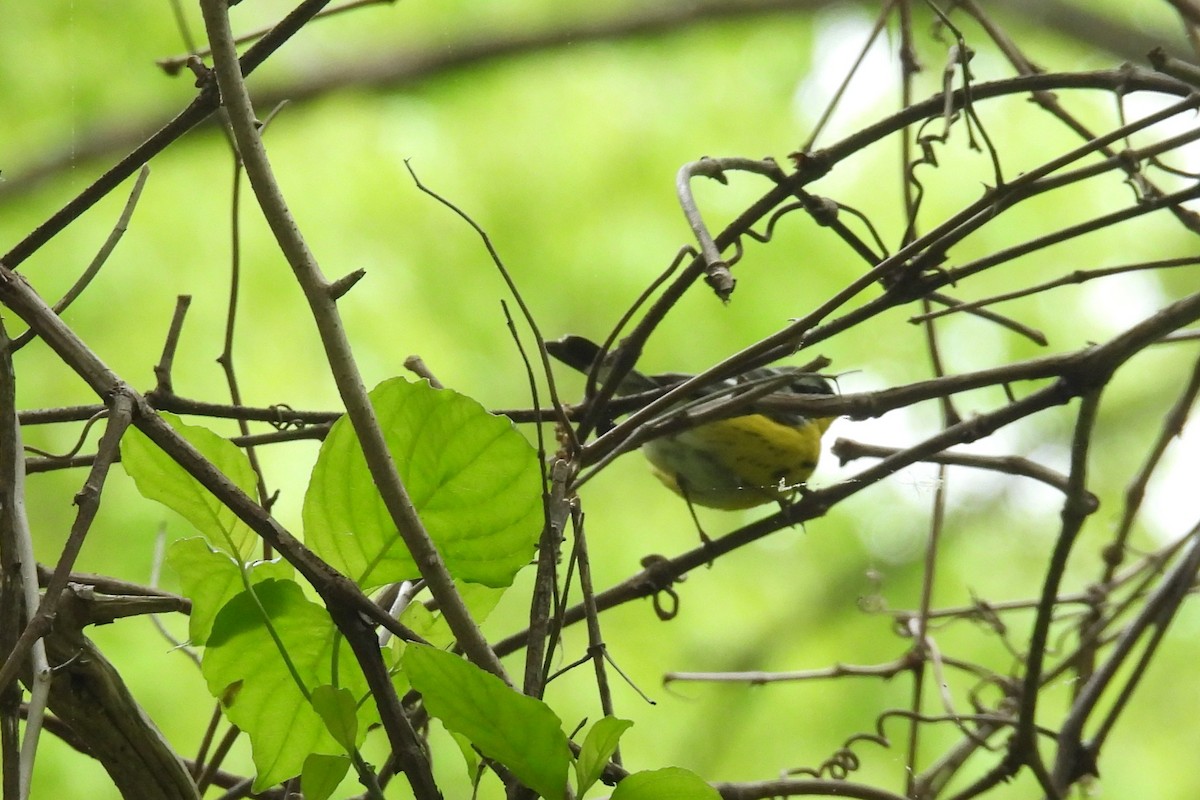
159 478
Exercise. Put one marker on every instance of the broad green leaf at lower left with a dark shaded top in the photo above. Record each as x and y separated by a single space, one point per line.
245 670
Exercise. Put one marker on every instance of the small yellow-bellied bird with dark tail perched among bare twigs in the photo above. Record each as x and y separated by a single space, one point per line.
740 462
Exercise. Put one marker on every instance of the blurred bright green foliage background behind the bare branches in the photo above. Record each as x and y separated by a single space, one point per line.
567 155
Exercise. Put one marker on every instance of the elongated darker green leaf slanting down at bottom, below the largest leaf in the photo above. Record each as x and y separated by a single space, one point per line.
520 732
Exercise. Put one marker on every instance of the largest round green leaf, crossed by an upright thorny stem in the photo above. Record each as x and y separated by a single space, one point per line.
472 478
